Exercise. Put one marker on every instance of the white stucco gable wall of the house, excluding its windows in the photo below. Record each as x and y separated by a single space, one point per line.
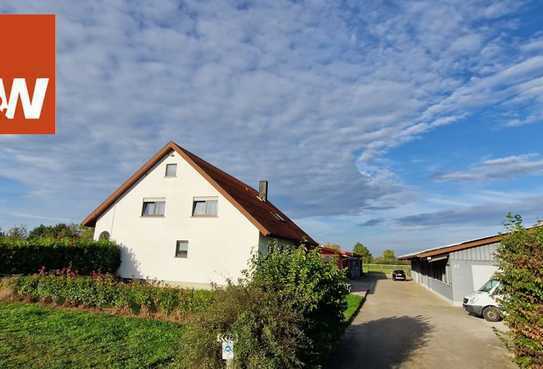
219 247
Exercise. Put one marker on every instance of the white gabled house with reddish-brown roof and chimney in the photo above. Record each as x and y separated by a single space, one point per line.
180 219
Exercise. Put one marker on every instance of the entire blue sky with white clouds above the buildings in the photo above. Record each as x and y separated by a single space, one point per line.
399 124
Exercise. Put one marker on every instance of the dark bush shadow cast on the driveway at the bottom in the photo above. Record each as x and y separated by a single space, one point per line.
383 343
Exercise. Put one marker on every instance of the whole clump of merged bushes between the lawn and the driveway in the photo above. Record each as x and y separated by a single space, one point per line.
286 313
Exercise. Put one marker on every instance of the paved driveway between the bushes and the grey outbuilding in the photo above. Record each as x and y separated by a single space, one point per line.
402 325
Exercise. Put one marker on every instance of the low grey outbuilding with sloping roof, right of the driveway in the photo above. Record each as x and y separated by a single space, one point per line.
456 270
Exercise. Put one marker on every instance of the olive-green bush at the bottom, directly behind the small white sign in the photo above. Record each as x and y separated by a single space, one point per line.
267 334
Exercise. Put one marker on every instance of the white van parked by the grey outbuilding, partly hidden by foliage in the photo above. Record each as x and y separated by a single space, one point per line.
483 302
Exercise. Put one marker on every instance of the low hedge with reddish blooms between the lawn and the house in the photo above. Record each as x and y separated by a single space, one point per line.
107 292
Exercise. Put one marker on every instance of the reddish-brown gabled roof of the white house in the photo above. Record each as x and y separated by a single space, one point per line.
269 220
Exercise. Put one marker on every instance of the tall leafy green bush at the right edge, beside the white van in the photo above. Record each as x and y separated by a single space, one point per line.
520 256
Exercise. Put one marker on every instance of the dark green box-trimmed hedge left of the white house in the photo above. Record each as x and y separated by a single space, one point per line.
83 256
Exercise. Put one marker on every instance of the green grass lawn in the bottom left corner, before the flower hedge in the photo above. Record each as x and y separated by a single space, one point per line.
32 336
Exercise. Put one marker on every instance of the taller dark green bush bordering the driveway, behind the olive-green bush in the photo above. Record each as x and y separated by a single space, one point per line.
311 286
